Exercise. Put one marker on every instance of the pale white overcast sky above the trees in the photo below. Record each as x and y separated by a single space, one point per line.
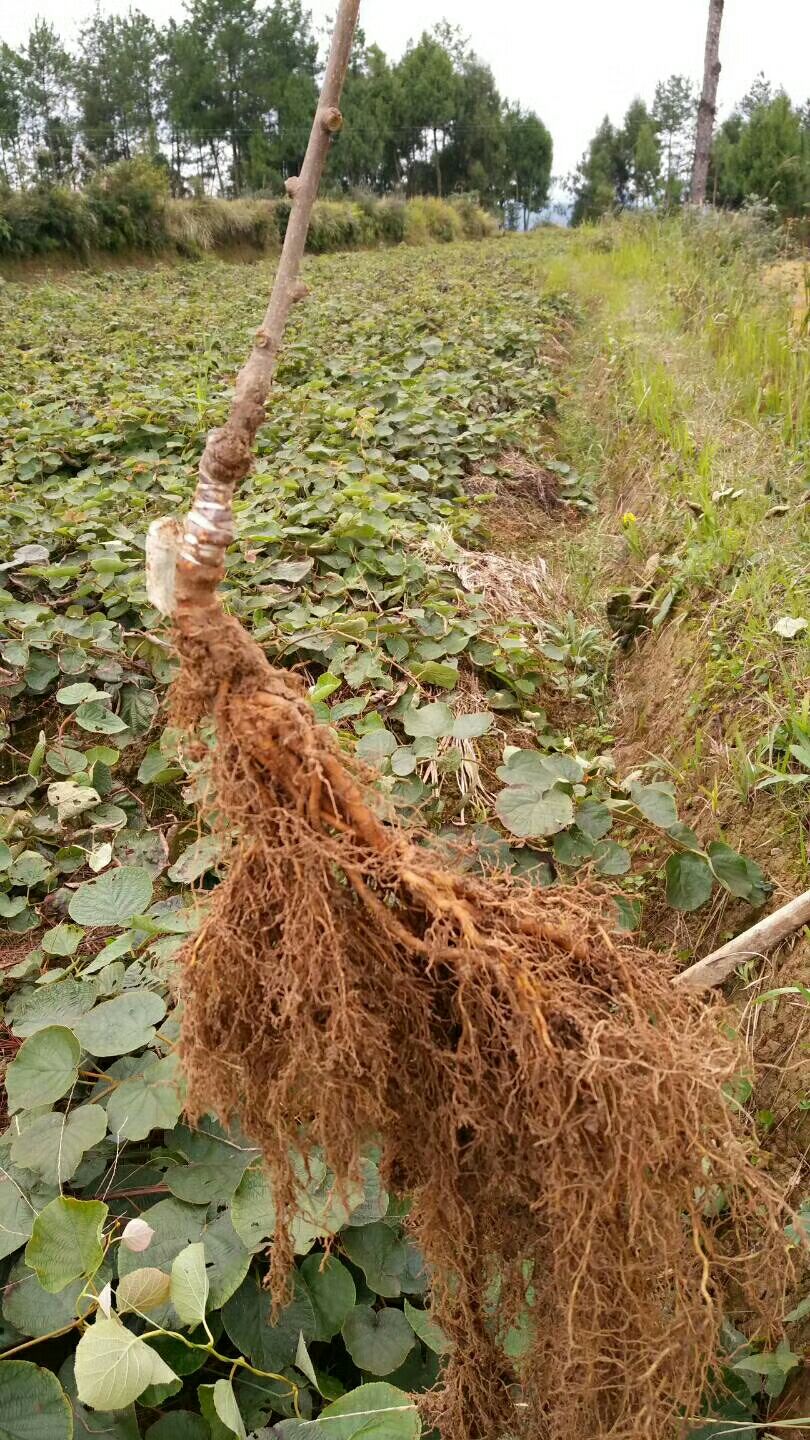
573 61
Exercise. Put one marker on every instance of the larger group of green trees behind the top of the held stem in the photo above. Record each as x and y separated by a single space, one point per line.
224 102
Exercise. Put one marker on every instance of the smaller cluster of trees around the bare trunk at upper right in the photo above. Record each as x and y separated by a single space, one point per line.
762 152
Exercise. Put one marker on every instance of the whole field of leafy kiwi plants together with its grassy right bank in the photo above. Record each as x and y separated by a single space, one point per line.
528 519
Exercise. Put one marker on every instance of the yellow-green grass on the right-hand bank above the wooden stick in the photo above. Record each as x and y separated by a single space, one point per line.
698 428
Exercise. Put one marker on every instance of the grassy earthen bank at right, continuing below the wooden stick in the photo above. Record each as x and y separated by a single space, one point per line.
690 411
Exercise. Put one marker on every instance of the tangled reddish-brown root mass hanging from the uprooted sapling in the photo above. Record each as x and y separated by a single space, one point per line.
551 1105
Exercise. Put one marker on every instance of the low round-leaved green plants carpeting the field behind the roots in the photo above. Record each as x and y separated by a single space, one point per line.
423 542
